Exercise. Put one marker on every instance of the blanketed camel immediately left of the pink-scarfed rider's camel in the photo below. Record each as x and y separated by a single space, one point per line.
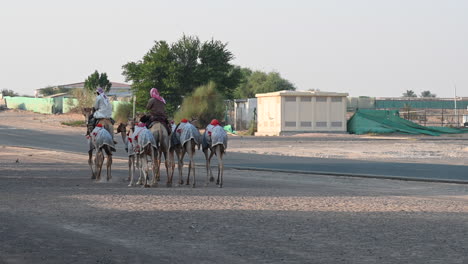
144 146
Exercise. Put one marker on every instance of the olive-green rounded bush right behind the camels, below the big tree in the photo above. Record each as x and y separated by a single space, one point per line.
204 104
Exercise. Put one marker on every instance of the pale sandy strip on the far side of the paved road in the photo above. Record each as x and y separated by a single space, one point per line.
449 149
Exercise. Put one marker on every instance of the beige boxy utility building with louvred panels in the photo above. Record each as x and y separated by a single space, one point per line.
286 112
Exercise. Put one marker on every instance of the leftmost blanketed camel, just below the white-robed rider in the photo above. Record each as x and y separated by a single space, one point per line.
101 141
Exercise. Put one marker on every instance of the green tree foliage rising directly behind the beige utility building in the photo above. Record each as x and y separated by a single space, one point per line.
253 82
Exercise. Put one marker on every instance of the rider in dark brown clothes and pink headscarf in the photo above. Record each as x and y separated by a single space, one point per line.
157 110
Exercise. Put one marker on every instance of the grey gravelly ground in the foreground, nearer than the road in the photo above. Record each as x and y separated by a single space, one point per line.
51 212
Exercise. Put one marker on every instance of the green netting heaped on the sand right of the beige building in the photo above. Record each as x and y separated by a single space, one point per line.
366 121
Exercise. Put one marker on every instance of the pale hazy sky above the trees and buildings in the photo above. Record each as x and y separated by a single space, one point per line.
362 47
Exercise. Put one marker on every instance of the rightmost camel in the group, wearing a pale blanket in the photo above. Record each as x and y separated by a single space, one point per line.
215 142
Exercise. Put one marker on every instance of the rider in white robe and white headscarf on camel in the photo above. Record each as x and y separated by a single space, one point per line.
103 112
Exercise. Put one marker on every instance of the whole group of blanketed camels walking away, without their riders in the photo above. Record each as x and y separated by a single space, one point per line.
150 145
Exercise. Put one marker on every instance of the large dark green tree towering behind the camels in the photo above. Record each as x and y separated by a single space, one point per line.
177 69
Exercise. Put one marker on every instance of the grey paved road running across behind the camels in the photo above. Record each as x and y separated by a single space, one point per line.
77 143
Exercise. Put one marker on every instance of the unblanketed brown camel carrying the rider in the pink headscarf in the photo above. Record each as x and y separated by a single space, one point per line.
163 142
